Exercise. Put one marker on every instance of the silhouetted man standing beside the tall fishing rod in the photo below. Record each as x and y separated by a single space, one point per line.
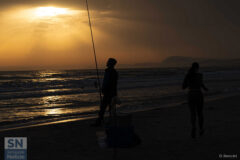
109 88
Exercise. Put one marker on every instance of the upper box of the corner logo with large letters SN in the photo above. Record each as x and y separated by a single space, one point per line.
15 143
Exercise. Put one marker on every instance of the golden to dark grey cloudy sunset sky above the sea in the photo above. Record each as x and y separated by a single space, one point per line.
41 34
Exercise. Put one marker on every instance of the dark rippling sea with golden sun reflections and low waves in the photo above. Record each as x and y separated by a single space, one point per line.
39 97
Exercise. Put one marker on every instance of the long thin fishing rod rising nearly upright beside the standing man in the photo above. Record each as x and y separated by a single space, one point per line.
94 51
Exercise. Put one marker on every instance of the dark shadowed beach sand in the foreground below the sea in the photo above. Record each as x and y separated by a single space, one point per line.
165 135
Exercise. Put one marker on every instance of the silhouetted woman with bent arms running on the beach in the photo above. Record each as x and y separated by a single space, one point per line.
194 81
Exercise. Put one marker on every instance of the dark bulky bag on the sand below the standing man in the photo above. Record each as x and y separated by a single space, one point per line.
120 133
